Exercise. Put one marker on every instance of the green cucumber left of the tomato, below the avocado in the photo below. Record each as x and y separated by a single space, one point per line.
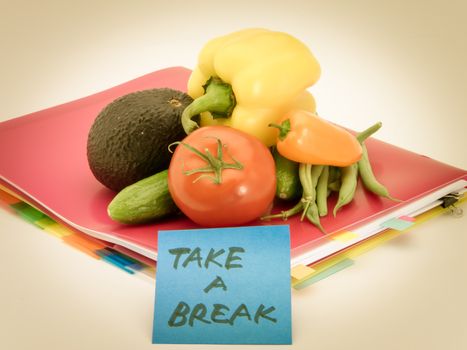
146 200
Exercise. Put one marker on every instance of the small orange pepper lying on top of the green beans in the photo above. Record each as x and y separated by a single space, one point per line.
306 138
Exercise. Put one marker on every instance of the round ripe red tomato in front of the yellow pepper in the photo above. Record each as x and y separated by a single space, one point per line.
245 191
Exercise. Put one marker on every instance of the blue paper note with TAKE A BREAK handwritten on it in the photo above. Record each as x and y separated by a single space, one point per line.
223 286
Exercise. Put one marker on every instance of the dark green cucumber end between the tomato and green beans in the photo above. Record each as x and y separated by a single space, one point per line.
288 184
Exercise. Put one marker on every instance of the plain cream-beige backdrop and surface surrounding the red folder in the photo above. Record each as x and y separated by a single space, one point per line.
400 62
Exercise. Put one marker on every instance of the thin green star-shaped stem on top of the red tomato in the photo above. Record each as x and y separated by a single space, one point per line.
214 164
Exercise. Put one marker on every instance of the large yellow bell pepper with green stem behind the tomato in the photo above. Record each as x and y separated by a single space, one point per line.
249 79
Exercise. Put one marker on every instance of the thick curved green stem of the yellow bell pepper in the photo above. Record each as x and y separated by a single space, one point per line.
218 99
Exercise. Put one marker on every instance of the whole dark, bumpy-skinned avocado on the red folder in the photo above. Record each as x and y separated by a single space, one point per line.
129 139
